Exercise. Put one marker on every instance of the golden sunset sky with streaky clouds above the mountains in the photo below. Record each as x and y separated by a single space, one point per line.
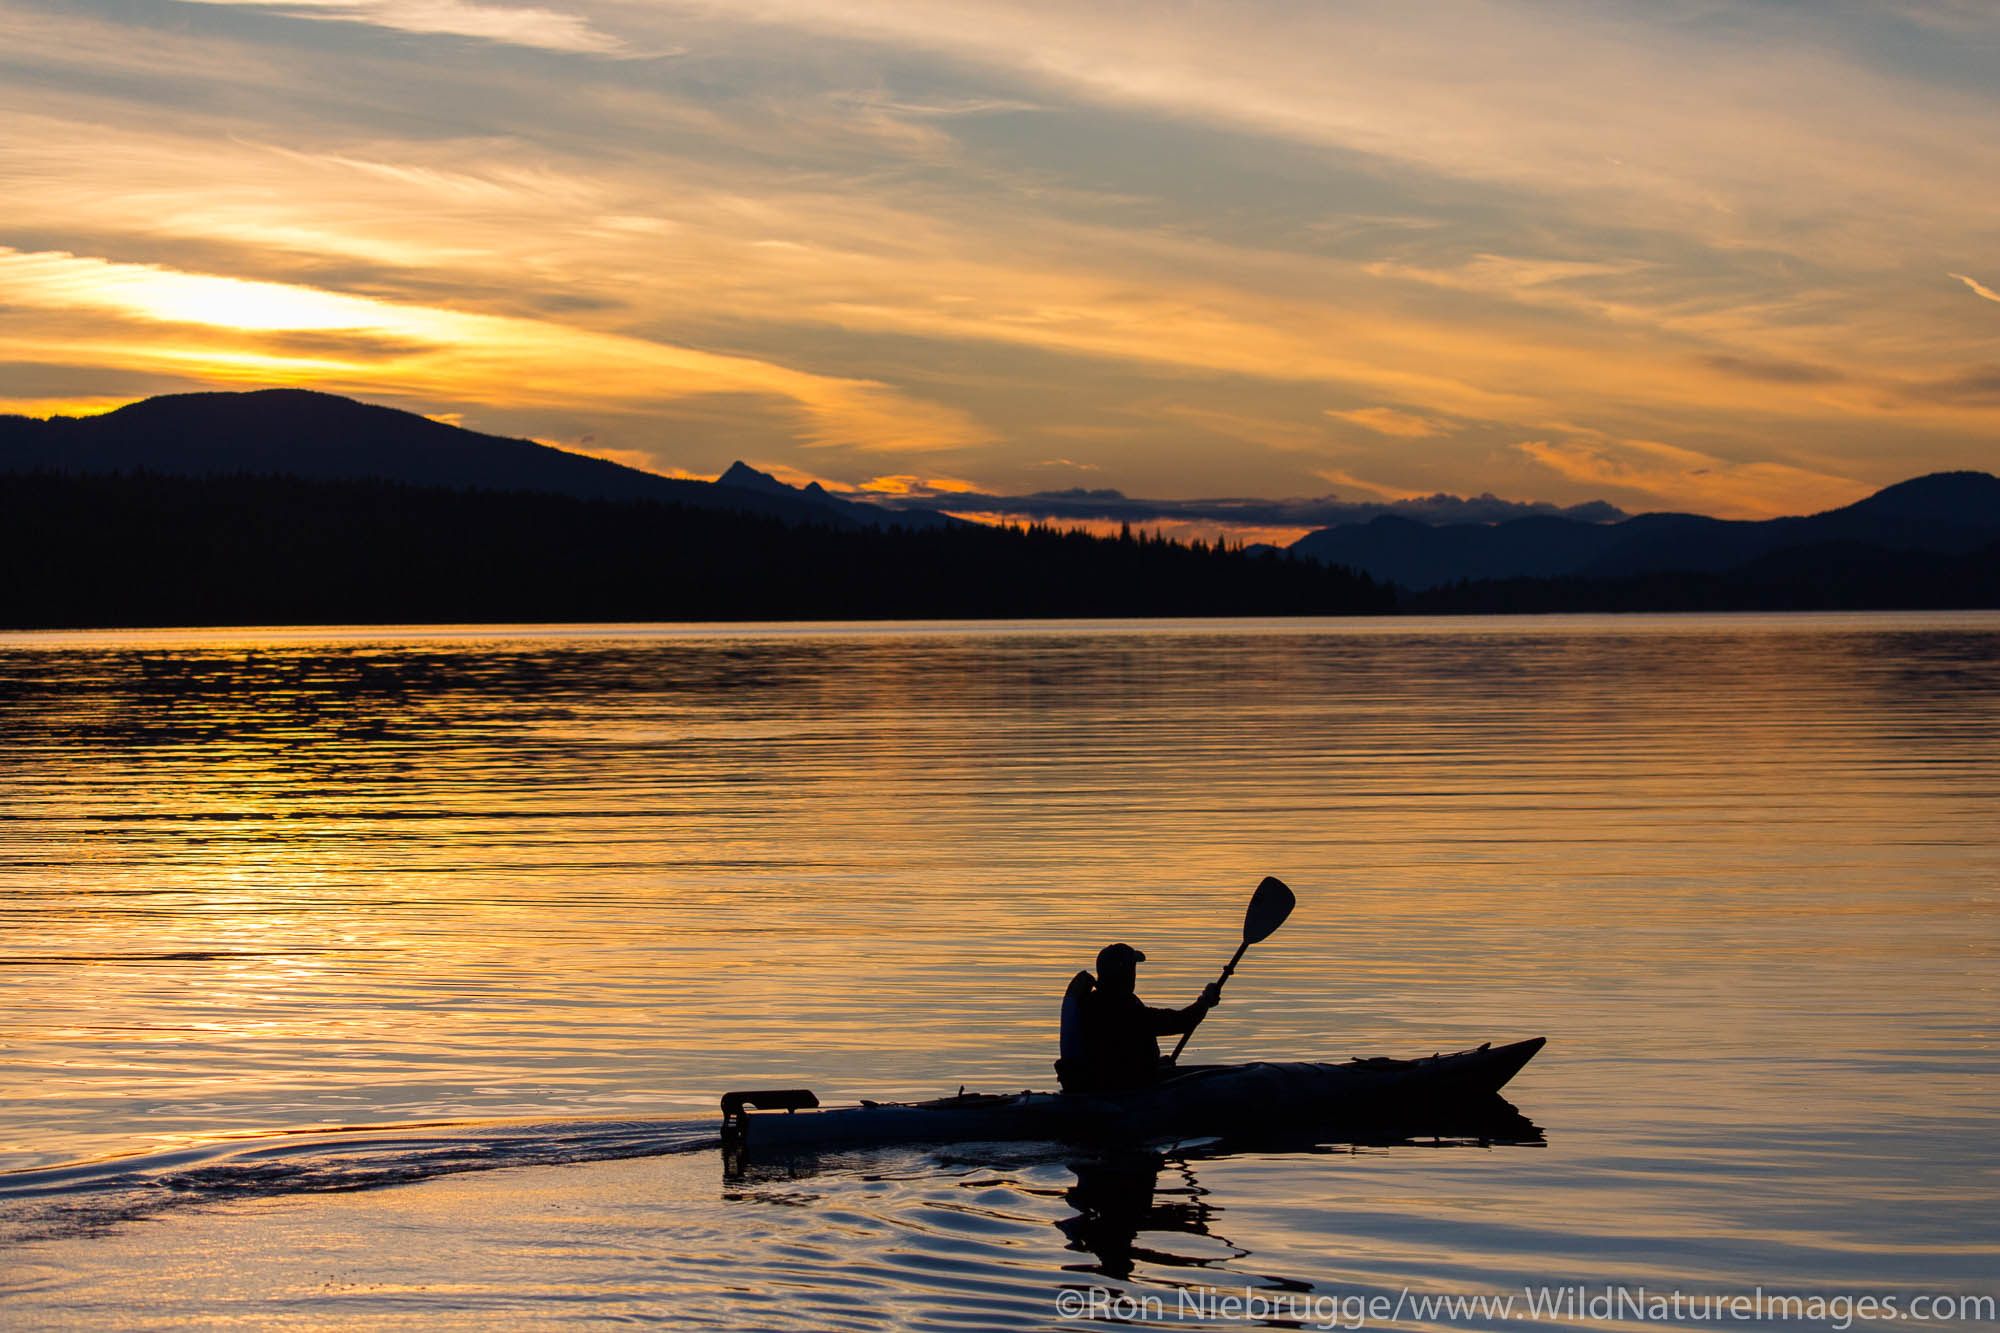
1739 257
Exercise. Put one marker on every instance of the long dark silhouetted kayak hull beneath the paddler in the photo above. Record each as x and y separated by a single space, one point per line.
1267 1098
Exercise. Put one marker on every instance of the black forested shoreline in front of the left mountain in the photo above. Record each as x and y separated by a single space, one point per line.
135 549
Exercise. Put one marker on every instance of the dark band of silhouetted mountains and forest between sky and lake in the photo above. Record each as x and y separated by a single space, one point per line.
291 505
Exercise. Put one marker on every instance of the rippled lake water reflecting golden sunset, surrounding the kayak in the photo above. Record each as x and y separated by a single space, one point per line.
389 978
